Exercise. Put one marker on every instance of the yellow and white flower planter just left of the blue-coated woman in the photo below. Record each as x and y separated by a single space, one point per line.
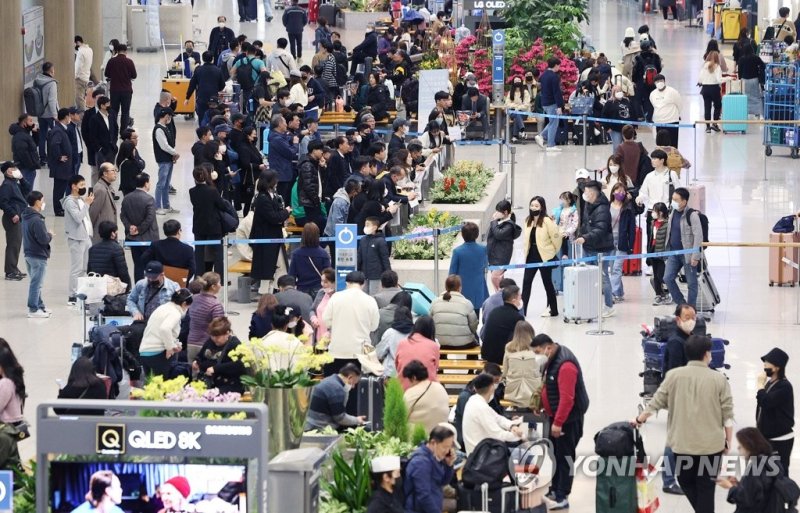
422 248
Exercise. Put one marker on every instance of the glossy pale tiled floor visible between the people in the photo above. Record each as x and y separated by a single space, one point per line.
741 206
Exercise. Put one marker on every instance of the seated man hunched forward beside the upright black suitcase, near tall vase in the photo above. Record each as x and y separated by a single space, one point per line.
329 399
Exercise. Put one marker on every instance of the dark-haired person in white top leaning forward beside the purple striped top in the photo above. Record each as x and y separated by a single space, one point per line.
160 339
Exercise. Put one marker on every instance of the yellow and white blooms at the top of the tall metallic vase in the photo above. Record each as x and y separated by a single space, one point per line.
262 360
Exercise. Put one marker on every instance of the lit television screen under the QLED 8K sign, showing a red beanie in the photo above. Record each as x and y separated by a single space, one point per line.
136 487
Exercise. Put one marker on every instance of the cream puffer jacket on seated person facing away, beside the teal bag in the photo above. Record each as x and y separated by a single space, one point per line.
455 320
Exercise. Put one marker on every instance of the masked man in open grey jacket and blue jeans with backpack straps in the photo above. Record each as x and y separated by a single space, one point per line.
684 231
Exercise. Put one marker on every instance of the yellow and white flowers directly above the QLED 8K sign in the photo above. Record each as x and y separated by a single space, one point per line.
181 390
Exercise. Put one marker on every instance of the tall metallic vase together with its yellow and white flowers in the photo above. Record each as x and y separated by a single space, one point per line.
281 379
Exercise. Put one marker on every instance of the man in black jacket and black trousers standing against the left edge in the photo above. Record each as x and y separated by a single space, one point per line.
13 192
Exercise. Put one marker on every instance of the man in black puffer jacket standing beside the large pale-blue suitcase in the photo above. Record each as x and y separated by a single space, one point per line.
595 234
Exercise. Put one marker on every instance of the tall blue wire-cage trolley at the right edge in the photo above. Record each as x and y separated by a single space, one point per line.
781 105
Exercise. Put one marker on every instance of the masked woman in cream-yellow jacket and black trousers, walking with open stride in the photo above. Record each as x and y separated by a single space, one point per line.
542 242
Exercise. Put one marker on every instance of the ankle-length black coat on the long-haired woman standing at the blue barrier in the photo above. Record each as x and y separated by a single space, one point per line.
270 215
